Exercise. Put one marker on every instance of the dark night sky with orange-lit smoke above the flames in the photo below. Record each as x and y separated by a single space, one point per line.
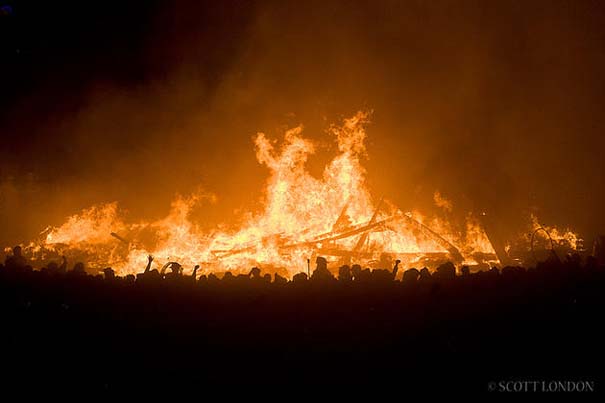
497 104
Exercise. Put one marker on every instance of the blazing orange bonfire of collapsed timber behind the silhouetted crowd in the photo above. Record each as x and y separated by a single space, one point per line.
303 217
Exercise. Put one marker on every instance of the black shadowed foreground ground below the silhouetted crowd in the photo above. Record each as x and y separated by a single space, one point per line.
462 335
